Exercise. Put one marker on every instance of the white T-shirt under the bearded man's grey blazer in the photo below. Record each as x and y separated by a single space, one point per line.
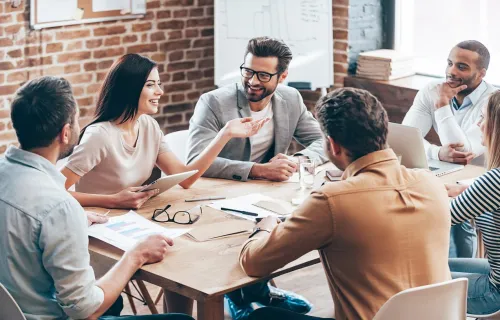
263 140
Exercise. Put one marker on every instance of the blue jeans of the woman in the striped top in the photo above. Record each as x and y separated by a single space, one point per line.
482 296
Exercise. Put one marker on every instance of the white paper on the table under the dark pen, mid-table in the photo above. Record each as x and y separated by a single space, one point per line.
245 203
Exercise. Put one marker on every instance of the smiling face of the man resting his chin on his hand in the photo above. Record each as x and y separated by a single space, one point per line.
463 69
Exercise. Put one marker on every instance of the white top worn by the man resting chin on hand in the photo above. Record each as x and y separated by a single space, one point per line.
452 126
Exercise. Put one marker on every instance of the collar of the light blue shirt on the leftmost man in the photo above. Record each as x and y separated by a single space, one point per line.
30 159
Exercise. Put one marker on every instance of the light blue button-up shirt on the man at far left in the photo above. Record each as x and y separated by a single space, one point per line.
44 257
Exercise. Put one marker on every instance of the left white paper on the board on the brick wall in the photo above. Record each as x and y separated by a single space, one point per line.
55 10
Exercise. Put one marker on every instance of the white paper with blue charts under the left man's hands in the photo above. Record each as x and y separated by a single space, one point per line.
124 231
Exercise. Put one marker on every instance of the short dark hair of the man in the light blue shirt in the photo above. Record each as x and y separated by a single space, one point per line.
40 110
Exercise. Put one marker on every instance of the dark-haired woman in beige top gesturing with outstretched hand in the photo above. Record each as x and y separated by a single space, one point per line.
120 147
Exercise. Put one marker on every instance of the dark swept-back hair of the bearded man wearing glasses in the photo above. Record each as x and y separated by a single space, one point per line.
270 47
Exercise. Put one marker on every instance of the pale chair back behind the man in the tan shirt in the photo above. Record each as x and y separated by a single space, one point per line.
440 301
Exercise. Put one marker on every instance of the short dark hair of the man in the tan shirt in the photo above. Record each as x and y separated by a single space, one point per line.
355 119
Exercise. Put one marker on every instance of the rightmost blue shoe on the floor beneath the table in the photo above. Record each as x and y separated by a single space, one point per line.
286 300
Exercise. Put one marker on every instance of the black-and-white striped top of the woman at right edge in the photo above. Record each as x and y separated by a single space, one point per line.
482 201
